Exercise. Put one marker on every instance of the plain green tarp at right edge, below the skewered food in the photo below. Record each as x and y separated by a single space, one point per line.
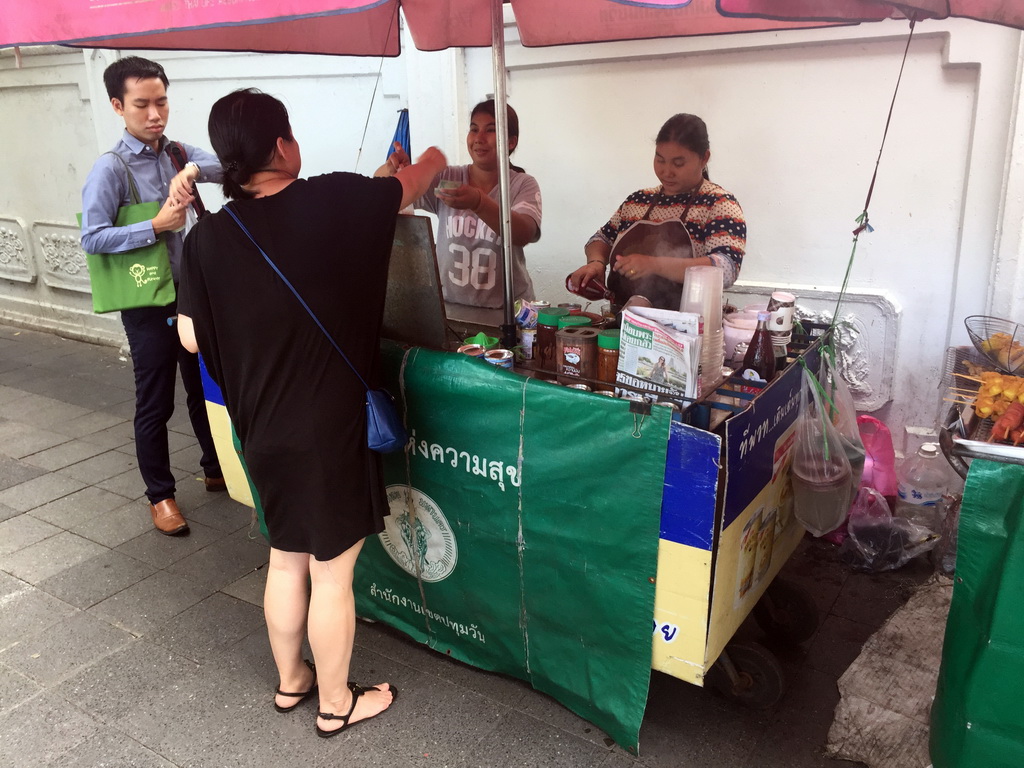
978 714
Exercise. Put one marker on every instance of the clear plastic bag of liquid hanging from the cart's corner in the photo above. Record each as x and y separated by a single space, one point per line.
823 480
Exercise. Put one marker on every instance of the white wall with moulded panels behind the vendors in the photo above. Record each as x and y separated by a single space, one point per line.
796 119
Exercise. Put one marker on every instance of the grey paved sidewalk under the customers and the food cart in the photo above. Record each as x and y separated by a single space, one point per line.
123 648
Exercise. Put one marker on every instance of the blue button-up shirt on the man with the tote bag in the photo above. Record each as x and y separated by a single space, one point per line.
107 190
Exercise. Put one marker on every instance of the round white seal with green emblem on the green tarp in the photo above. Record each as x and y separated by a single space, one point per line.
418 536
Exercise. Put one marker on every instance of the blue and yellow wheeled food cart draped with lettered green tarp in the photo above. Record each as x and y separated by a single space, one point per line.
573 540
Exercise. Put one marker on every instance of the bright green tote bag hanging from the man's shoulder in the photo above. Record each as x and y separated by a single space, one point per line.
133 279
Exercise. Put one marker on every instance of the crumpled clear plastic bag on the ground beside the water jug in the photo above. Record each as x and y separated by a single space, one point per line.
877 540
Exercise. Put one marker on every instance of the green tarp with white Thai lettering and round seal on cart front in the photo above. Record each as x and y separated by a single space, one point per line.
525 532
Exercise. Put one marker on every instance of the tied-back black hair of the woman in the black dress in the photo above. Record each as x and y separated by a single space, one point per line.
244 129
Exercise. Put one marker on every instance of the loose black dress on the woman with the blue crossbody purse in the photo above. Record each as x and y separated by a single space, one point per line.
296 406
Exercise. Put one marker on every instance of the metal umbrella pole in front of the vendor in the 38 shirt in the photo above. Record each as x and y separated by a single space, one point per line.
502 124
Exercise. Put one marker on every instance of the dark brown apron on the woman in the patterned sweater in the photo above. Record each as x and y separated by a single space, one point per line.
667 238
